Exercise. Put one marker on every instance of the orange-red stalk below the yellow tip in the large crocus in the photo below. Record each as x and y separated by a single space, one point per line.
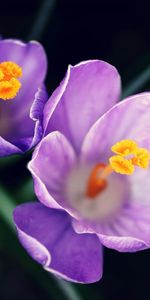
97 181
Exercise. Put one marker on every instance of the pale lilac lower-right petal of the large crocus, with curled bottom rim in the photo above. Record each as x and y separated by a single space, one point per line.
129 230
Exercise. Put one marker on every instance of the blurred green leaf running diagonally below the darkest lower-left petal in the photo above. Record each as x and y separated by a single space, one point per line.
64 290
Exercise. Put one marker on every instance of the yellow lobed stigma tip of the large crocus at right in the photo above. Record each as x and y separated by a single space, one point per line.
129 155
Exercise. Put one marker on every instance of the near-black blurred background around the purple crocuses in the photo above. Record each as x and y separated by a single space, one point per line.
72 31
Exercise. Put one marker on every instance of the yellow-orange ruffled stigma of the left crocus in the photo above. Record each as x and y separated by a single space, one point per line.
9 84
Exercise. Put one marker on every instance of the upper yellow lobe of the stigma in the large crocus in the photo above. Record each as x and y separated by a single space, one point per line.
125 147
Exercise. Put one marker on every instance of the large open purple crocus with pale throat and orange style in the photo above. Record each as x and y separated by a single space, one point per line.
90 174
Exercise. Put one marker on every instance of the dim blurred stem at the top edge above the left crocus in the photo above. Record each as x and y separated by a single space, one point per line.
42 19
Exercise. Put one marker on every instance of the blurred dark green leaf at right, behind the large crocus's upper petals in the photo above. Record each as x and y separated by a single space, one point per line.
137 83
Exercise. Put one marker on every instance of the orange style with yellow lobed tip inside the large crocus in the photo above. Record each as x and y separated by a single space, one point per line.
128 156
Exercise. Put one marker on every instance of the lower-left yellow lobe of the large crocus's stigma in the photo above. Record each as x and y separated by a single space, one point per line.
121 165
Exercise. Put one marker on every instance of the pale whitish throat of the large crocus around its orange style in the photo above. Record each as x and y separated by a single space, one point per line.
100 205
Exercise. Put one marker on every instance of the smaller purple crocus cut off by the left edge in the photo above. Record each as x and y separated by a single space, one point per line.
22 95
